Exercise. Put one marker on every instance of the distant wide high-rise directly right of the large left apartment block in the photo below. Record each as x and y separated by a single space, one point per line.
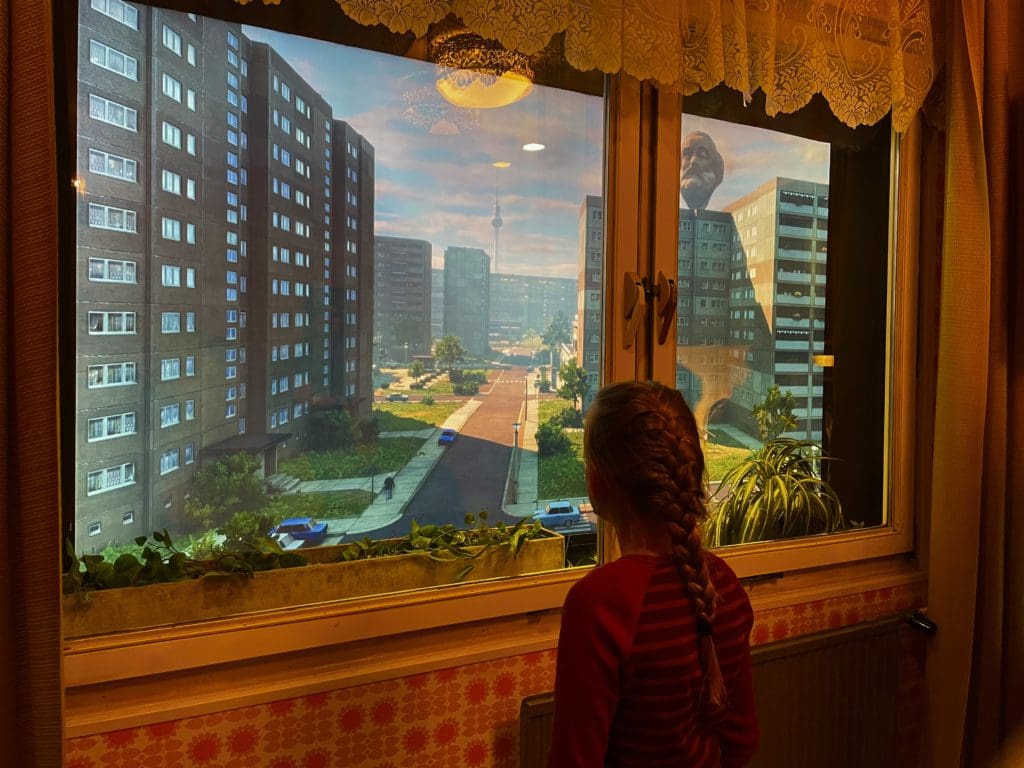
403 295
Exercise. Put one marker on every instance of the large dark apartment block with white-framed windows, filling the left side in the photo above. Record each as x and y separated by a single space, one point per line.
204 169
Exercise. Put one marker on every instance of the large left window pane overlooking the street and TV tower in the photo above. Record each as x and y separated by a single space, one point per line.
453 316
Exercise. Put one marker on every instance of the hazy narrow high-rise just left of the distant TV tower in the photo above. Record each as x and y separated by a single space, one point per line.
467 281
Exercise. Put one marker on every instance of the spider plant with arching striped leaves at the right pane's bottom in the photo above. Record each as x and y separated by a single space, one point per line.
776 493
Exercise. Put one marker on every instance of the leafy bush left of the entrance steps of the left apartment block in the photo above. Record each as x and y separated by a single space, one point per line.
225 487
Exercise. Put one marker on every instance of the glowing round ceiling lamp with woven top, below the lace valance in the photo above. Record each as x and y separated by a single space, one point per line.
477 73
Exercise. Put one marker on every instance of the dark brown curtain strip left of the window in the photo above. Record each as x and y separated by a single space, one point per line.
30 552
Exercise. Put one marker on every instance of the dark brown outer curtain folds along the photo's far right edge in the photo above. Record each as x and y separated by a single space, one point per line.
996 708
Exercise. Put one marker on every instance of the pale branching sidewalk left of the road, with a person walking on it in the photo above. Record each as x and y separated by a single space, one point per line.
383 513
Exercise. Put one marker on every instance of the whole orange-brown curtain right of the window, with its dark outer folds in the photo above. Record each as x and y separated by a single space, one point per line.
976 573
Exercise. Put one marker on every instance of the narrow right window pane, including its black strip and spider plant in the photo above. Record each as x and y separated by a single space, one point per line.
756 333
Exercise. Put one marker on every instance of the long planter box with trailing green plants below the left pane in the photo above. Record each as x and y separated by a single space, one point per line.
163 585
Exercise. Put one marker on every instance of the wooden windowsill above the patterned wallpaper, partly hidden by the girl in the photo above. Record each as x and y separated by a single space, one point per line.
133 679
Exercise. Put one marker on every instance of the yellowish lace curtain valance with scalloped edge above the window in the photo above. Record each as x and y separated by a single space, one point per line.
865 57
